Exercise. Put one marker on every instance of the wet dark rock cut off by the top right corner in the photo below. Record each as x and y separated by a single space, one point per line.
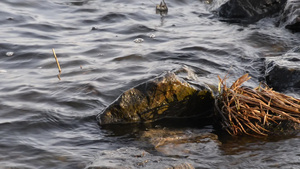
290 17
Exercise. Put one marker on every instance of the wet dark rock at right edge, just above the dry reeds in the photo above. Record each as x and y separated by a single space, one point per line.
283 72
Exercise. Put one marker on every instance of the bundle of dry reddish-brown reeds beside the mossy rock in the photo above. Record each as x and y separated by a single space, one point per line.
257 112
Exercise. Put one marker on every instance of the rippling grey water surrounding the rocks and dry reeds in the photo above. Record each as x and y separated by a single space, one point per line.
50 123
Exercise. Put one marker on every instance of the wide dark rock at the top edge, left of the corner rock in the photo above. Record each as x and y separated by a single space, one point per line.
249 11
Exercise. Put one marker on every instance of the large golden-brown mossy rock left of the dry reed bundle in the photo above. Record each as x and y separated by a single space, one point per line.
167 96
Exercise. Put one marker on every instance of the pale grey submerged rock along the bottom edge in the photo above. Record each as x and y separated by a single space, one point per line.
132 157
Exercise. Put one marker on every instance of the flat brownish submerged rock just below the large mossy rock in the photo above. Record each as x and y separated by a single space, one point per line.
180 142
